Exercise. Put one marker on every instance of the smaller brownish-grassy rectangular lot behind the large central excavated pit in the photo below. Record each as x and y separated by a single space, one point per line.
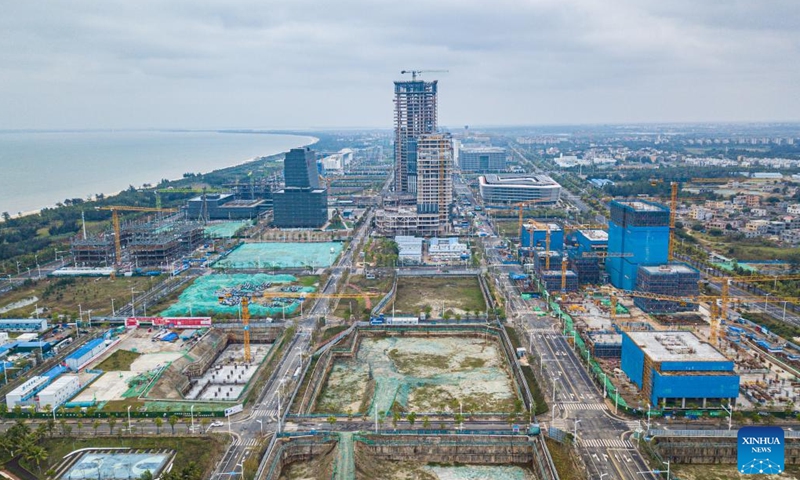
452 295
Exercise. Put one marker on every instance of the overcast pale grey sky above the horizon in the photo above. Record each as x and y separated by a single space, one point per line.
316 64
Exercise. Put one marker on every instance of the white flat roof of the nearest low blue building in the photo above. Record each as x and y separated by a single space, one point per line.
675 347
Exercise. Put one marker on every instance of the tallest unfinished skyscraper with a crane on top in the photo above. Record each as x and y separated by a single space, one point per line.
415 112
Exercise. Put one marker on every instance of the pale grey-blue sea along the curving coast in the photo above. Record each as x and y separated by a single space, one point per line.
39 169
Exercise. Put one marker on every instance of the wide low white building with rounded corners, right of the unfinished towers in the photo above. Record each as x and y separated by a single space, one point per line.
512 188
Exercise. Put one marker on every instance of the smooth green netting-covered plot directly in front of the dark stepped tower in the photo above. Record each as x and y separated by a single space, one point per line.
281 255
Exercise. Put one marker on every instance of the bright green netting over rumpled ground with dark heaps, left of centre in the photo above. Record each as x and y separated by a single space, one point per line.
202 297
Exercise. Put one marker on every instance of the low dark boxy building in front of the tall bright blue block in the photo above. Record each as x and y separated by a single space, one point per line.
673 279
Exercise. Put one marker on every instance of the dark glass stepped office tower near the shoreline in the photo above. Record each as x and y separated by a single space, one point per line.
303 203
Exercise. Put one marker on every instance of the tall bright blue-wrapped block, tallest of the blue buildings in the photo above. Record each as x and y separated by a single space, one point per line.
640 229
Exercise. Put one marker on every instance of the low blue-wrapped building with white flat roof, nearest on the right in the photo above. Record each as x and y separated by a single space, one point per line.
678 370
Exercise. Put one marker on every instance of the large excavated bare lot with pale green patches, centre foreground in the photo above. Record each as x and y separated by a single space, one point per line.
423 375
